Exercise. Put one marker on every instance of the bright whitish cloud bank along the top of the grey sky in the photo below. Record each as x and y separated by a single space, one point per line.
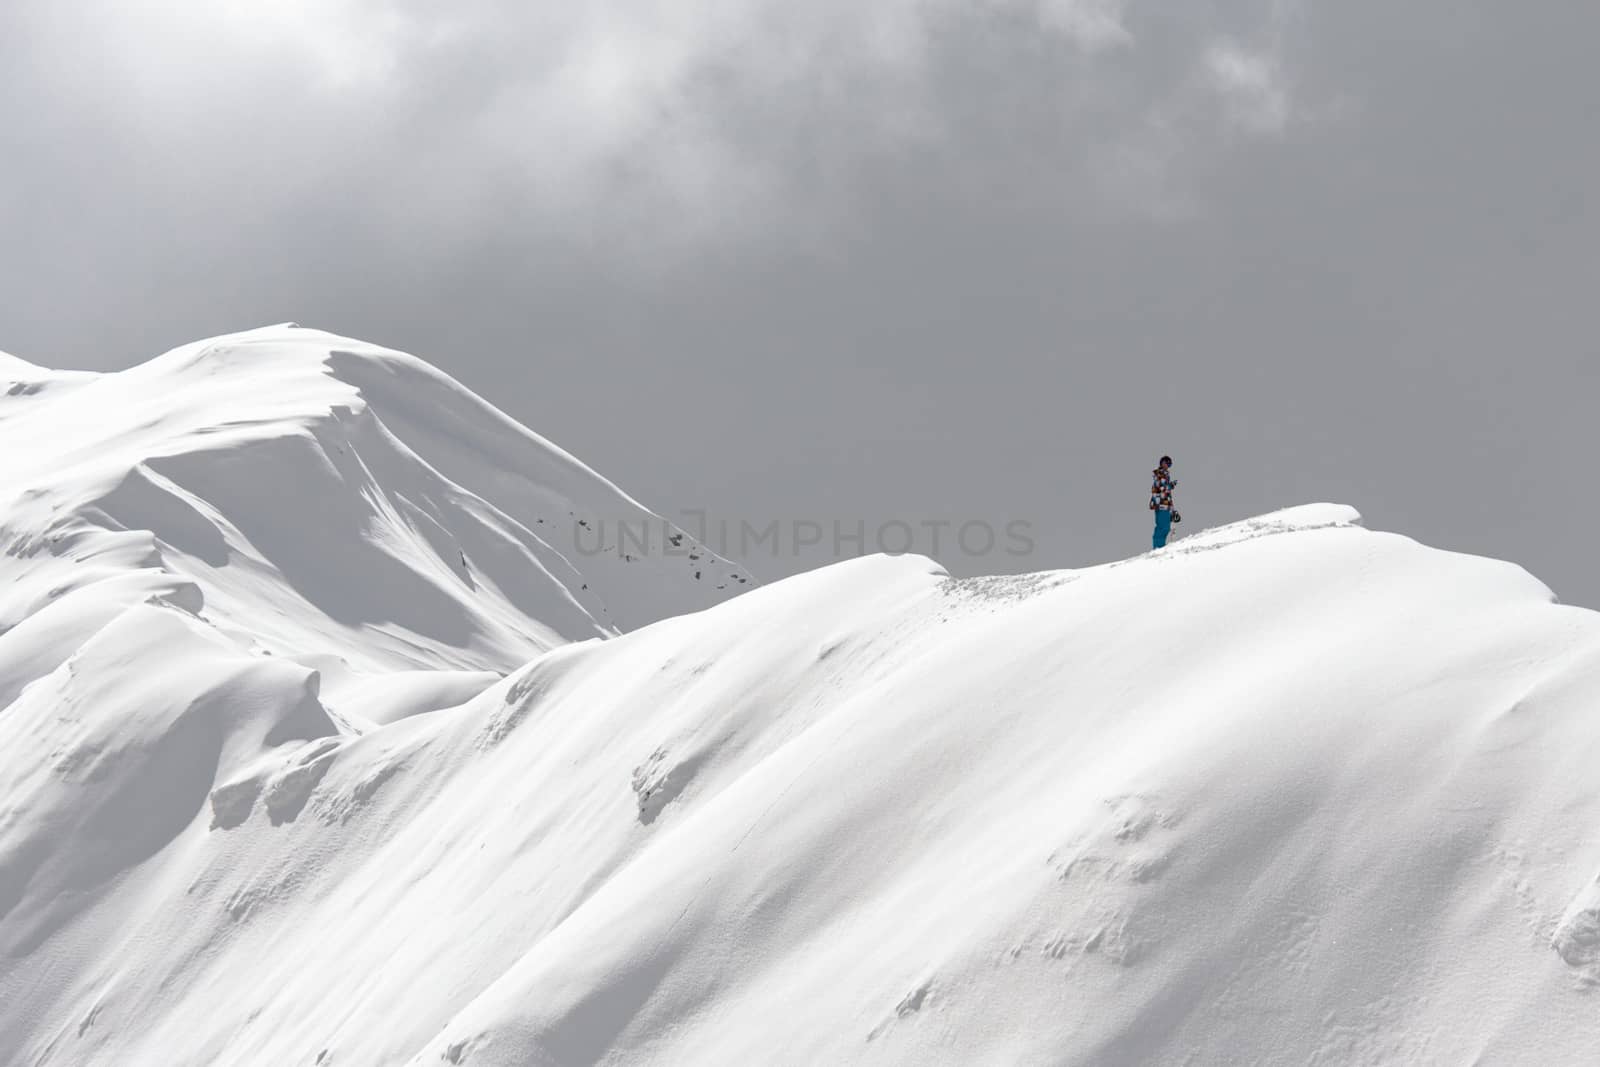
670 124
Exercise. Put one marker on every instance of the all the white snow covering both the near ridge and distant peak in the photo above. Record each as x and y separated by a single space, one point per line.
1287 793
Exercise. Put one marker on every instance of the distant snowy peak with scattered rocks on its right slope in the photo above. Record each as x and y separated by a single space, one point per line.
319 498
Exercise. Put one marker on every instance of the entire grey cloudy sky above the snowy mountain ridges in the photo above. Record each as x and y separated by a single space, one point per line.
873 260
